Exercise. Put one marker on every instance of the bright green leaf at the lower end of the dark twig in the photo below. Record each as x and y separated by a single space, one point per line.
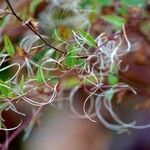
70 60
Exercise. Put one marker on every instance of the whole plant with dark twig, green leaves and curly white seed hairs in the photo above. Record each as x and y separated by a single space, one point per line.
39 70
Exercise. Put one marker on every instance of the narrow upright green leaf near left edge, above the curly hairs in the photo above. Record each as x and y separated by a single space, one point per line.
8 45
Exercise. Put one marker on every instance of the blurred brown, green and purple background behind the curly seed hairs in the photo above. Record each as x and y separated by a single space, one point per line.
83 16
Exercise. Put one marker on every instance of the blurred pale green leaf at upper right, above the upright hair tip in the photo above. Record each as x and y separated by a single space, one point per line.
115 20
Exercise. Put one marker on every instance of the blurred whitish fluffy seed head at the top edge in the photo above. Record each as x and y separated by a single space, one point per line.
79 19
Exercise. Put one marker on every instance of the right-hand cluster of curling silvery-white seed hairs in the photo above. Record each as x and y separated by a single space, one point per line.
109 54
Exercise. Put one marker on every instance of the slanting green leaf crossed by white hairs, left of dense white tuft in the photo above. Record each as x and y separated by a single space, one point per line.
87 38
